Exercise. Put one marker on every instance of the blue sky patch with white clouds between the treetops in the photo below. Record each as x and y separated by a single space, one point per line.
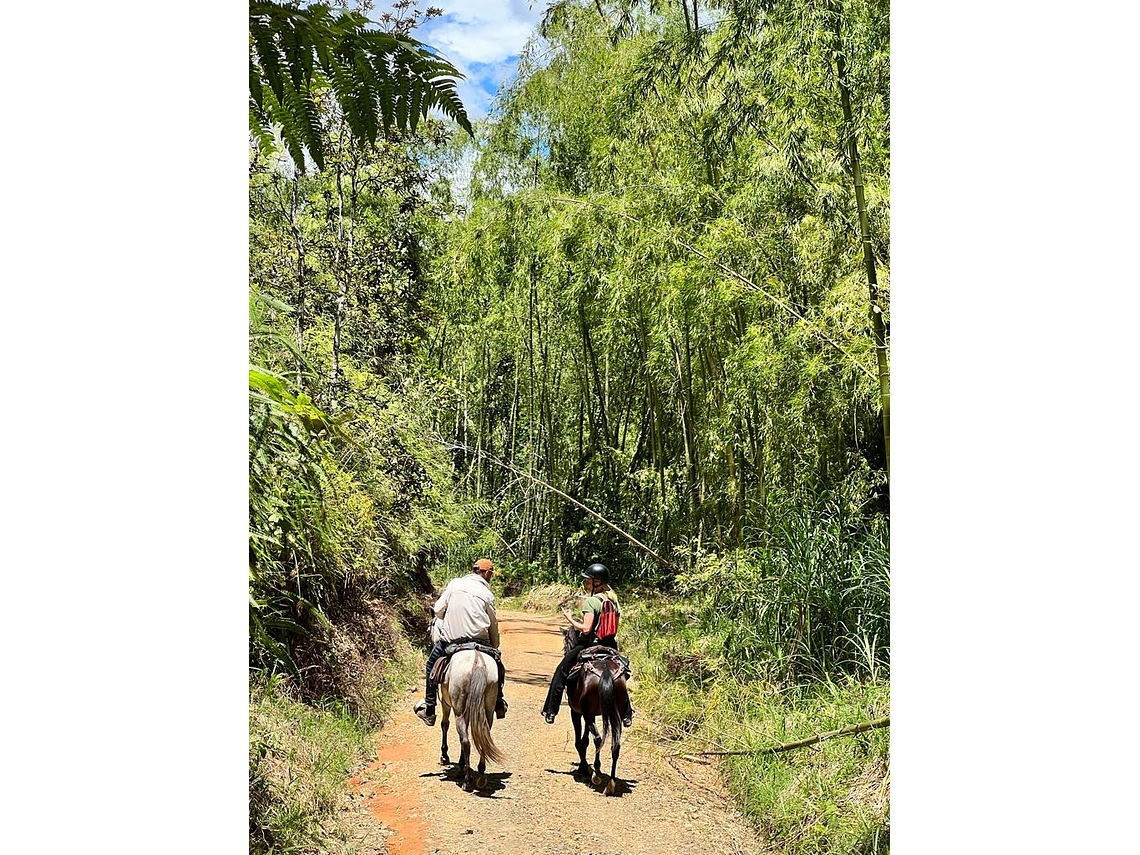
483 39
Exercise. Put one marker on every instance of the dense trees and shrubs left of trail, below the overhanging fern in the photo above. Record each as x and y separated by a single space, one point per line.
347 498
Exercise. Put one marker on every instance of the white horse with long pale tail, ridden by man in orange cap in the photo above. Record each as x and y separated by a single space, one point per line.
471 688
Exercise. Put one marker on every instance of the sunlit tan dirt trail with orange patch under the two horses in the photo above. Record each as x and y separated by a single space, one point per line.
534 804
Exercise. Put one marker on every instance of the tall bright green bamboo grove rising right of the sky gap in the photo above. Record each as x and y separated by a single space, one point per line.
659 300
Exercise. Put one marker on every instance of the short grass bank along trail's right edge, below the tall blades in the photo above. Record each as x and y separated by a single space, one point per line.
833 797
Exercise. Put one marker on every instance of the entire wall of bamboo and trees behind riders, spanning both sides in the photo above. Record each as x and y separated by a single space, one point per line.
658 312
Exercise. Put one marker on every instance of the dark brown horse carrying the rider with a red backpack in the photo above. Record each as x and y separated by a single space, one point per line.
598 691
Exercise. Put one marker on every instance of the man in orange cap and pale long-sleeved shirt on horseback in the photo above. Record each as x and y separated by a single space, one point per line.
465 613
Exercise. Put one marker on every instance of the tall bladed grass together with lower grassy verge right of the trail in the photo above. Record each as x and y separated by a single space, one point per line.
773 646
